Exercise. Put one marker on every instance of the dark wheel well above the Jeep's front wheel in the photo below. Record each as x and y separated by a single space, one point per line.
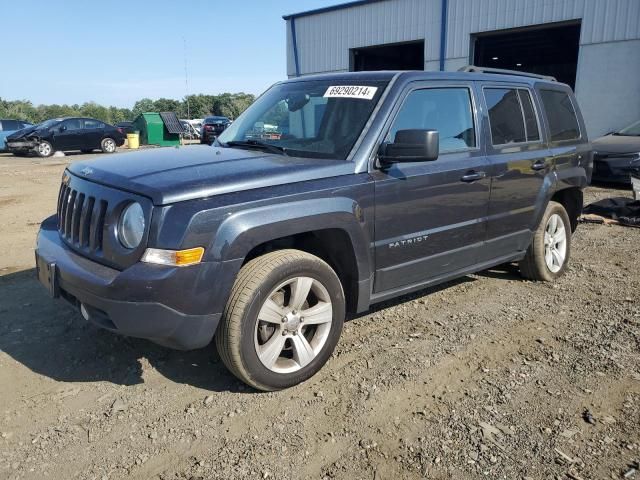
331 245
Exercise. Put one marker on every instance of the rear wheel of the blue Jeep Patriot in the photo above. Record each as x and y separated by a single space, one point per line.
547 256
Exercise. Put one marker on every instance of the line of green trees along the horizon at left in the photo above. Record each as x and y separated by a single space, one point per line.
192 106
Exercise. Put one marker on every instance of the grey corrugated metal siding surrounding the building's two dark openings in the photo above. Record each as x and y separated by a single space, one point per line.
324 40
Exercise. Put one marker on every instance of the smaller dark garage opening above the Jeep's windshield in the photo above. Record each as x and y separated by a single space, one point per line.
397 56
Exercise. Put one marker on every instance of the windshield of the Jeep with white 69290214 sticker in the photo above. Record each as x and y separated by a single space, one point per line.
320 119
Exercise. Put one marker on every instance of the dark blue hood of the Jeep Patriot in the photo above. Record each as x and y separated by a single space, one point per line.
170 175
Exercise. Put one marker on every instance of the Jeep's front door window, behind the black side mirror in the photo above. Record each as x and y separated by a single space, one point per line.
447 110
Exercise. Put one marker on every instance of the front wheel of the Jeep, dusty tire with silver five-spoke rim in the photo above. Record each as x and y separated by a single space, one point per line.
282 321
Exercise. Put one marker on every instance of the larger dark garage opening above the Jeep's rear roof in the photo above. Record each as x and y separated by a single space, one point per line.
546 50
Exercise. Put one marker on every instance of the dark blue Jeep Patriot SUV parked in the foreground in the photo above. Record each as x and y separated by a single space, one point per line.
386 183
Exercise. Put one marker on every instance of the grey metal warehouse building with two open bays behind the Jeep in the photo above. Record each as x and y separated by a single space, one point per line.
593 45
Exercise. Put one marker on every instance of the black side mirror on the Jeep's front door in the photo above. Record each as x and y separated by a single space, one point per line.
411 146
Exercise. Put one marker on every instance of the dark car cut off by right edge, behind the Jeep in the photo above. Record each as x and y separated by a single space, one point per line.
617 155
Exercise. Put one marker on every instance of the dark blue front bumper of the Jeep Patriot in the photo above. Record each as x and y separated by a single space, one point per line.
146 301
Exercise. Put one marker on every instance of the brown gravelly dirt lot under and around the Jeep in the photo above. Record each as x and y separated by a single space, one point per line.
486 377
